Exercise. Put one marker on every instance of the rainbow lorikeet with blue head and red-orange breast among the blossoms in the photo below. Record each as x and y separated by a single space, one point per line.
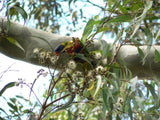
77 49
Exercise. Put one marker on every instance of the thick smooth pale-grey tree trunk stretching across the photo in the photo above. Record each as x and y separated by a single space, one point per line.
29 38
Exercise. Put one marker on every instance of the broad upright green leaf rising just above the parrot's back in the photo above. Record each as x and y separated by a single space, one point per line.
87 30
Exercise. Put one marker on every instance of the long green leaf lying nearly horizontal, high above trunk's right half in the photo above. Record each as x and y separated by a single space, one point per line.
122 18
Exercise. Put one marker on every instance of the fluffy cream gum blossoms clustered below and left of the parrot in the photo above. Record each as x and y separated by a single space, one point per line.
77 81
